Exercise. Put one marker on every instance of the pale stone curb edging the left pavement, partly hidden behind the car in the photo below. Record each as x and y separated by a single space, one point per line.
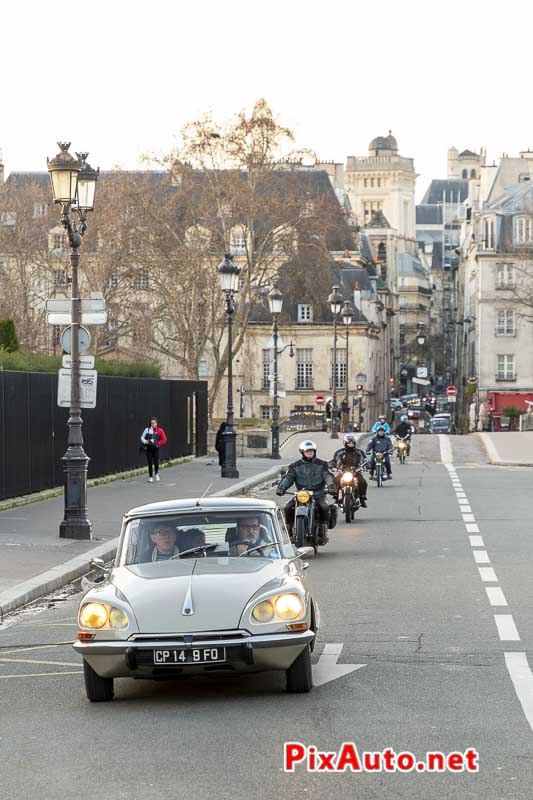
56 577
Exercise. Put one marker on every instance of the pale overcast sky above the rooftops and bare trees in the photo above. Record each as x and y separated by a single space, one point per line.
120 77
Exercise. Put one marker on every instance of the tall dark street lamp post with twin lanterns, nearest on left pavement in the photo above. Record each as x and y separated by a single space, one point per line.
73 184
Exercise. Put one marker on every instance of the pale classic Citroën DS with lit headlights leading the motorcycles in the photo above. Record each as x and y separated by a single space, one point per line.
203 586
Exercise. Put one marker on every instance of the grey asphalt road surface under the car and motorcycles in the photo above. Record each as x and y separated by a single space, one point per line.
401 589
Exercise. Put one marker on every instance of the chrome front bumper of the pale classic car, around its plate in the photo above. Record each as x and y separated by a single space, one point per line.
244 653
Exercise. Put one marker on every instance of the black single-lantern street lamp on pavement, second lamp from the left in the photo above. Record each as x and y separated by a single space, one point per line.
229 281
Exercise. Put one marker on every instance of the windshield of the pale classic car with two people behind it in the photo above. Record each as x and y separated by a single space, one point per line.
214 534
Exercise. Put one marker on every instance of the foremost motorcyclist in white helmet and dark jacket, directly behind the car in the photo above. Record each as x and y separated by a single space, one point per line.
311 473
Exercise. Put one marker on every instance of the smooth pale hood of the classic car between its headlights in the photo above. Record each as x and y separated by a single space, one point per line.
216 589
